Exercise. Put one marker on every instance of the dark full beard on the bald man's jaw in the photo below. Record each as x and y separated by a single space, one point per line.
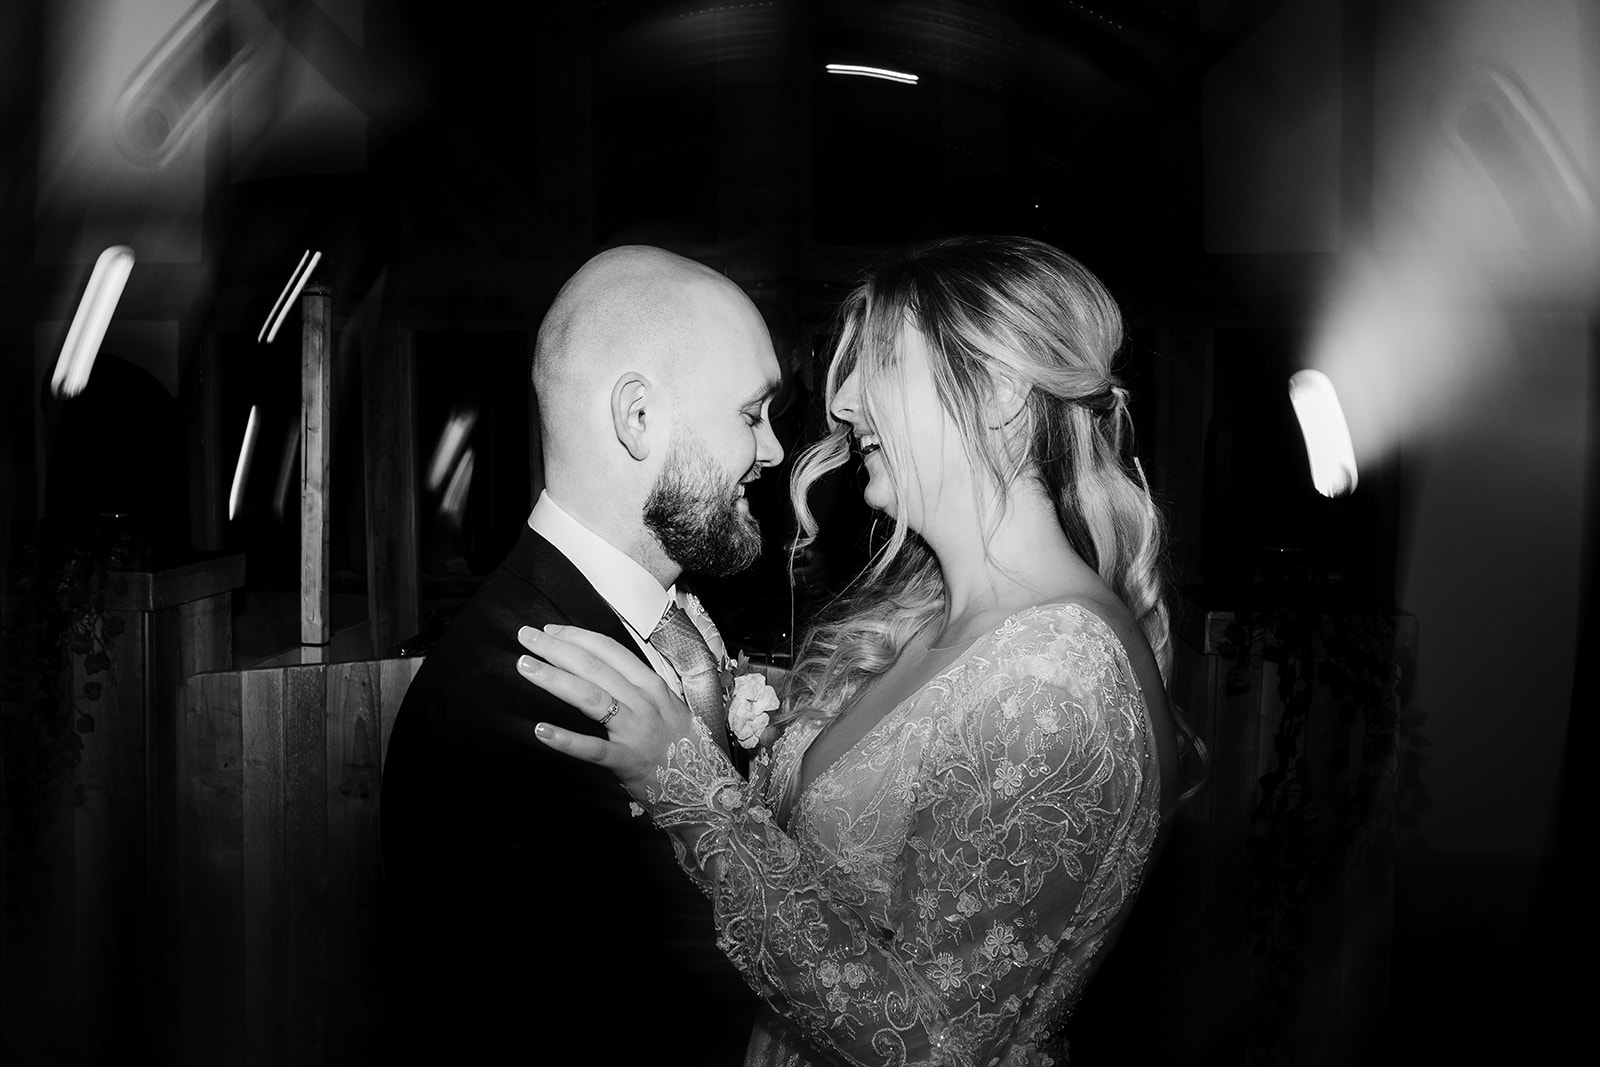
697 521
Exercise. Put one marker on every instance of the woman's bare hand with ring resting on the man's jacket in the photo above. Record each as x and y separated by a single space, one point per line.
610 685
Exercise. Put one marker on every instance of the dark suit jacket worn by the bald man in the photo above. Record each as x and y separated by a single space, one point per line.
527 914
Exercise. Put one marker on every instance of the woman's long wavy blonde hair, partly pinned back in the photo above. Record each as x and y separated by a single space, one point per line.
996 313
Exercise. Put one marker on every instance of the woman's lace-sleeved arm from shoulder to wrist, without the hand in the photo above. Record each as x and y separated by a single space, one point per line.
1026 796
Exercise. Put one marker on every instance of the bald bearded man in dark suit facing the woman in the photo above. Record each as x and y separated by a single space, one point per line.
527 913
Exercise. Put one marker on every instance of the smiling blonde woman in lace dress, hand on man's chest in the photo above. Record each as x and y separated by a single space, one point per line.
975 762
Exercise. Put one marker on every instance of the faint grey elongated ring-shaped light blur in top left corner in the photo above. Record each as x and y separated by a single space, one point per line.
182 86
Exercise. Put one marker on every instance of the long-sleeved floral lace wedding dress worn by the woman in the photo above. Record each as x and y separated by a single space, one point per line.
943 892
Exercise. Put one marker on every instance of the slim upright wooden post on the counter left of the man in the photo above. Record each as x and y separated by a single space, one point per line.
316 441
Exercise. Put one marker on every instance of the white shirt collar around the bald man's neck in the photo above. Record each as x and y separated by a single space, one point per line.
633 593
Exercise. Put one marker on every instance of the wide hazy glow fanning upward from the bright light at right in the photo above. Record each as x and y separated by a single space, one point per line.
1489 217
